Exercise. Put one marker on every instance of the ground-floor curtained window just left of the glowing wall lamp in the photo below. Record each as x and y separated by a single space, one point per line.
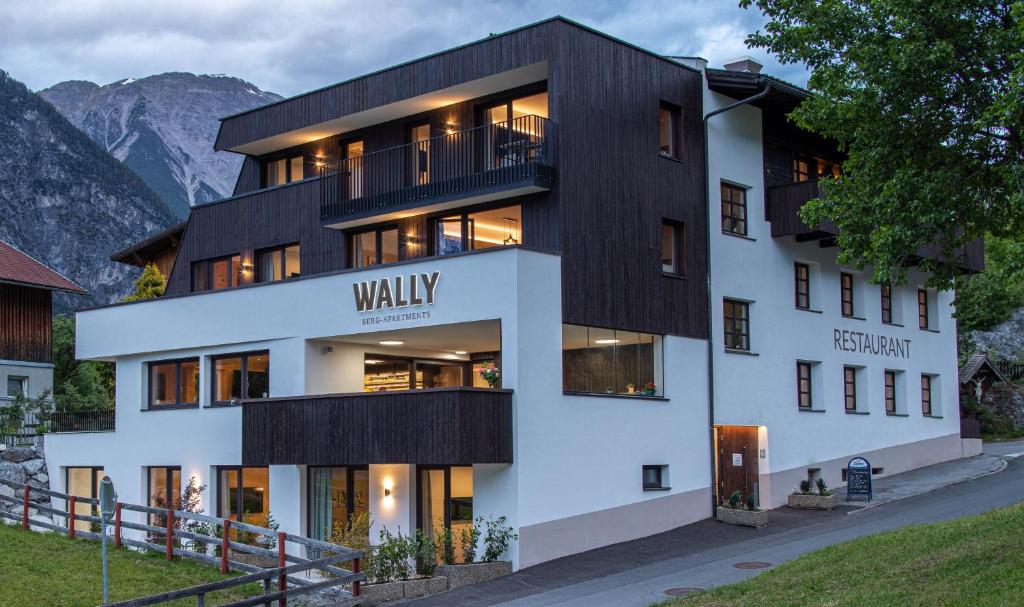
336 496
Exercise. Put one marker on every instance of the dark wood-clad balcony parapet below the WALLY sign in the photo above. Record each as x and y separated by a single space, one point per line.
449 426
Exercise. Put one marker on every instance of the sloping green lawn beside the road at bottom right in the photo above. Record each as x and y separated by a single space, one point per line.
976 561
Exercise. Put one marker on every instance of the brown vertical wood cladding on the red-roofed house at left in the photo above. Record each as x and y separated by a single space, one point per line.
26 319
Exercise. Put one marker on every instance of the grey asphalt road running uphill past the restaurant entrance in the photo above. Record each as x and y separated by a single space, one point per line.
703 555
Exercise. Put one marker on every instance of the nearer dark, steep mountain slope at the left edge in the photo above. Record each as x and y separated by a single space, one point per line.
66 201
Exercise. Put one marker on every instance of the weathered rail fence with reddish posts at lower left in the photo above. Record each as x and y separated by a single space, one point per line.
177 534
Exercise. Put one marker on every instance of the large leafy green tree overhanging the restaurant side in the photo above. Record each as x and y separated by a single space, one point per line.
927 101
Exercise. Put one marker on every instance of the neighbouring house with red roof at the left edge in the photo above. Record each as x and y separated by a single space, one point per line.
26 324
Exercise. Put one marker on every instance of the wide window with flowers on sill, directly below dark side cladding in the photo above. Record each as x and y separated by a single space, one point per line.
611 362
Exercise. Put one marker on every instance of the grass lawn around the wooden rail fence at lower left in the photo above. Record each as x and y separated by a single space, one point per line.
48 570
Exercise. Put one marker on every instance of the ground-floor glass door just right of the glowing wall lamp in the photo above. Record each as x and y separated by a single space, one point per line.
446 502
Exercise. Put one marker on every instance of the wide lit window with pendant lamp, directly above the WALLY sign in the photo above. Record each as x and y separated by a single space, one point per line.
484 230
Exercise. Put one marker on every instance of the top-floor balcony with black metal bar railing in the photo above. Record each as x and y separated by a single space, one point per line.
487 163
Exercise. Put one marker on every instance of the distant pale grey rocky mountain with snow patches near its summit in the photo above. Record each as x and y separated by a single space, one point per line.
163 127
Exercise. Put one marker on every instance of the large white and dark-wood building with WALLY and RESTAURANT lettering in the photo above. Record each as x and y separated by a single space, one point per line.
533 203
